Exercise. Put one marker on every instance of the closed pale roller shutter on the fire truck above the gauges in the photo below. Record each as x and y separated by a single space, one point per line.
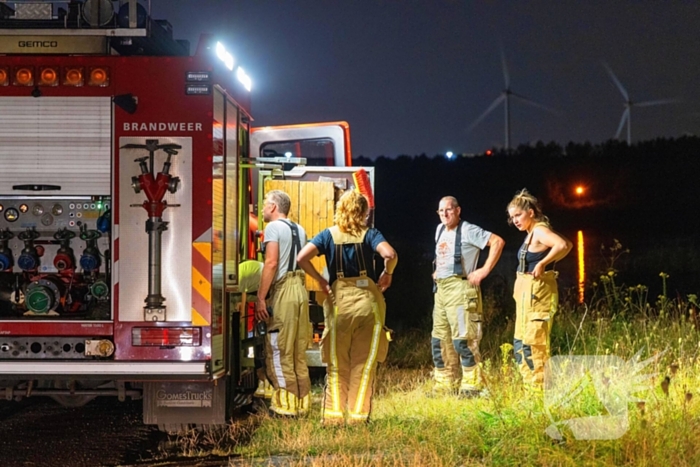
64 141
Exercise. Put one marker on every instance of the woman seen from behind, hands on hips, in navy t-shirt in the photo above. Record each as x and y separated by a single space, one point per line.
354 339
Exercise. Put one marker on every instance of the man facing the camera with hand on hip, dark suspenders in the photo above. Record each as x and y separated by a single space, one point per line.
457 313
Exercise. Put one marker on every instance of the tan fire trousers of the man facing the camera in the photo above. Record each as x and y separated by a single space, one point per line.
457 331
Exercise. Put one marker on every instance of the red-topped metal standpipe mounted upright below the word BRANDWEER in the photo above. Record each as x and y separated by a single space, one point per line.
154 186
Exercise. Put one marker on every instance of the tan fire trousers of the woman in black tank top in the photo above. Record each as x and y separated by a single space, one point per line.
536 302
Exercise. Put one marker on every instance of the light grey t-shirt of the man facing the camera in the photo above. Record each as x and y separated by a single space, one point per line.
474 239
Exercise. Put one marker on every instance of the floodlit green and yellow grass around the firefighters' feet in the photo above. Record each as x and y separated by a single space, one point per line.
507 427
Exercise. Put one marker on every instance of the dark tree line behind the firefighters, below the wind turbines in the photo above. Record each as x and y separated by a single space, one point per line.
644 195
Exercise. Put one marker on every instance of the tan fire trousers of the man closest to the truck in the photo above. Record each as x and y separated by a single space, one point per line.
286 342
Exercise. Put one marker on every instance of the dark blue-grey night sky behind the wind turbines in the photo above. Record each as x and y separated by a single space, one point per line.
411 76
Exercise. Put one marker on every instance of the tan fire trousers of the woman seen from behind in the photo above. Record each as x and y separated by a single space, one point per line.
353 343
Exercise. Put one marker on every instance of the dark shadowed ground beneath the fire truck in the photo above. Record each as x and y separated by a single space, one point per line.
105 432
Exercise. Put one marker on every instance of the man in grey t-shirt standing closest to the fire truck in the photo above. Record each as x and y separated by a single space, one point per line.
287 310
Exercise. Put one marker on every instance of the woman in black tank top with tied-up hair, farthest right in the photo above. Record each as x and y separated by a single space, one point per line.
535 292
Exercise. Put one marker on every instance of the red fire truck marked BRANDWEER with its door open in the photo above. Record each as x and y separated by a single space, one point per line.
129 174
